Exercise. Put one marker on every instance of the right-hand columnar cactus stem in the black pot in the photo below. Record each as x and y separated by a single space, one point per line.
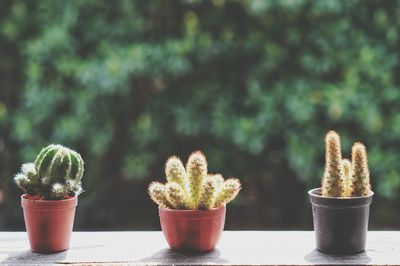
360 172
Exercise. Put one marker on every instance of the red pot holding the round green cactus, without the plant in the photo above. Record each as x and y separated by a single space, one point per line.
49 223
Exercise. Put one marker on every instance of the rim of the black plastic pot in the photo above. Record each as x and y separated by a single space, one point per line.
338 202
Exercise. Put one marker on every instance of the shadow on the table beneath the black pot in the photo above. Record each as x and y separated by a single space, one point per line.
317 257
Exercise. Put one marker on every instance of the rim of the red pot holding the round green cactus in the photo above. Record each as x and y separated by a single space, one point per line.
33 202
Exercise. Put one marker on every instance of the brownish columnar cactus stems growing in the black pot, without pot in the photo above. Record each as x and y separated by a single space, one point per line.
342 177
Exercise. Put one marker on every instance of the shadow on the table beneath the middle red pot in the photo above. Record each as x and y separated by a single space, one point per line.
168 256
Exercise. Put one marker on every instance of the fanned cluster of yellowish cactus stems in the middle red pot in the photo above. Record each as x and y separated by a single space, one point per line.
192 187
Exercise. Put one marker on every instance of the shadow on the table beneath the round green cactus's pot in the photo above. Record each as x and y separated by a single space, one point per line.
30 257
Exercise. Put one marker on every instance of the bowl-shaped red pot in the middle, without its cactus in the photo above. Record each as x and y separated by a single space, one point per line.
192 231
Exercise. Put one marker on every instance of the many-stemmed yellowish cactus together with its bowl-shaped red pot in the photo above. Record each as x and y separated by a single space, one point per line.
192 204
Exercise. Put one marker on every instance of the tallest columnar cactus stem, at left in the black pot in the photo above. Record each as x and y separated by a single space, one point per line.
332 182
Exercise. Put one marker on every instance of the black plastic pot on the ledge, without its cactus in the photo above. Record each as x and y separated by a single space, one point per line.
340 224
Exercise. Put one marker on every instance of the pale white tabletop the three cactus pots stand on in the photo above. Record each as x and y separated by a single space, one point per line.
234 248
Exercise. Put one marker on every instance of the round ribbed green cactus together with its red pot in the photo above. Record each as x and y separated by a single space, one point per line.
51 185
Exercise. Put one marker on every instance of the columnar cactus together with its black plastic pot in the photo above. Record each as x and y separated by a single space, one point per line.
341 205
